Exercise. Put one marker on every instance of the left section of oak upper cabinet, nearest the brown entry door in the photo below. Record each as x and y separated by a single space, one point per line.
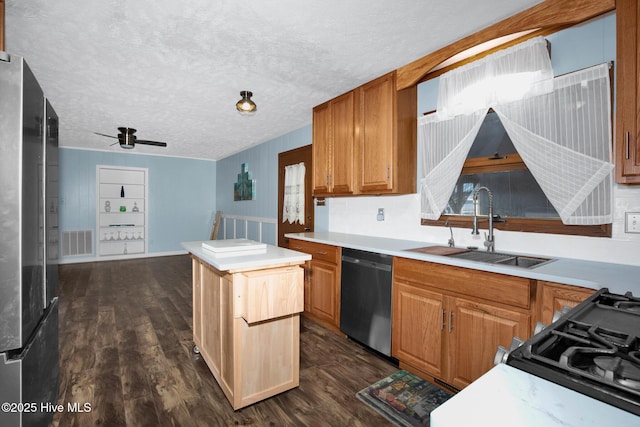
333 146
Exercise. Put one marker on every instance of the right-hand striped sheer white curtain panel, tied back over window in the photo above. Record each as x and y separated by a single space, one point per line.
564 138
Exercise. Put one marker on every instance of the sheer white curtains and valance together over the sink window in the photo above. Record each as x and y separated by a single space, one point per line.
561 127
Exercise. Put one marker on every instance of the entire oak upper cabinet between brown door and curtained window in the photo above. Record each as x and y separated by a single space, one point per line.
365 141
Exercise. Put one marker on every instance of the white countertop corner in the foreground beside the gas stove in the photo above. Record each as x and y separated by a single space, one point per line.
510 397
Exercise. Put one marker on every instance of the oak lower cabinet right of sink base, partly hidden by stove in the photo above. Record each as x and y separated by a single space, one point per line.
554 297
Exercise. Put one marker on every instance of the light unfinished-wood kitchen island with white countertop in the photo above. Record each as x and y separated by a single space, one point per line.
246 318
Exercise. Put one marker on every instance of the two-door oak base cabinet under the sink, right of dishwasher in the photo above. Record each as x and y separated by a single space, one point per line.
448 321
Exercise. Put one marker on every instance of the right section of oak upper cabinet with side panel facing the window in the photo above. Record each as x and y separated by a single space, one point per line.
387 137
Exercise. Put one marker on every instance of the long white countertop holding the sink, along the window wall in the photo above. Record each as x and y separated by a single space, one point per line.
618 278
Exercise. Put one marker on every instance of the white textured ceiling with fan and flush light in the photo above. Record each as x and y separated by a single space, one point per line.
174 69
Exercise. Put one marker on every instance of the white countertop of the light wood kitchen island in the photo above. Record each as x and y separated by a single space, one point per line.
272 256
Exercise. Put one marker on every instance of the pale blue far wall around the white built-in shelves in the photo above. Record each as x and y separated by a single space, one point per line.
182 195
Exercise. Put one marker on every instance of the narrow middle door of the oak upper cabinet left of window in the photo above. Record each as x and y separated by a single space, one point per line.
342 143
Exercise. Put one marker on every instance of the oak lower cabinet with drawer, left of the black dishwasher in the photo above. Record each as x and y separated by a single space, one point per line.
322 282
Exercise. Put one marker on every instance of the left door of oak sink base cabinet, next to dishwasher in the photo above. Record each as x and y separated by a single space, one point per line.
418 316
